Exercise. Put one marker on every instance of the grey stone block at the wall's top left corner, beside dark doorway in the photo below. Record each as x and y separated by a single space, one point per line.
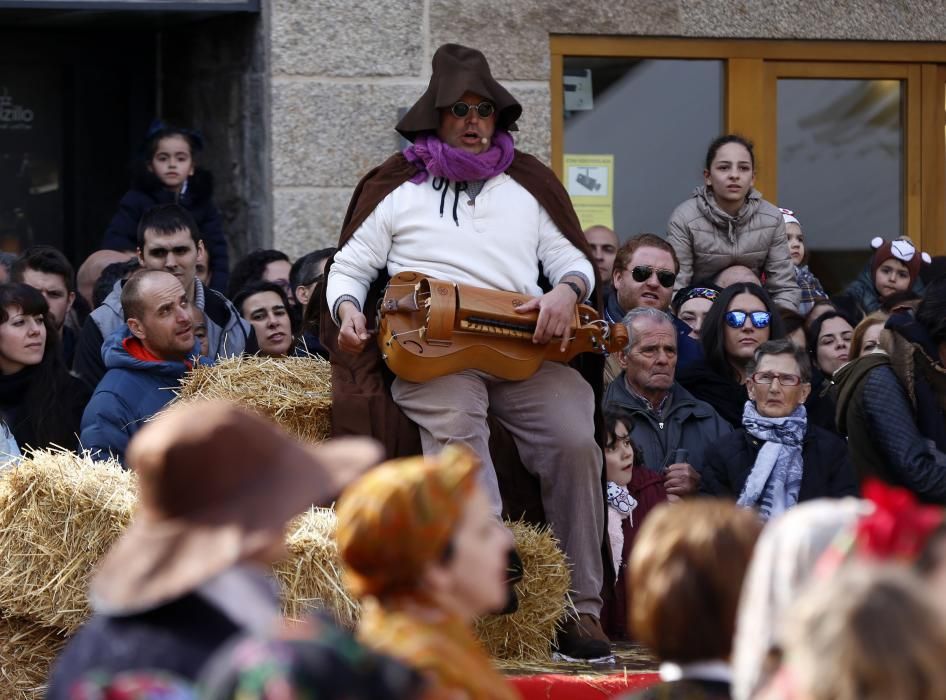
347 37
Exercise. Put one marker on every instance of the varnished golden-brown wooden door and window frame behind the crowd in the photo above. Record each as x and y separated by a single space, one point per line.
752 68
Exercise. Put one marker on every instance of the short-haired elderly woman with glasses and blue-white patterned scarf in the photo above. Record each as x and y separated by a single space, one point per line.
777 458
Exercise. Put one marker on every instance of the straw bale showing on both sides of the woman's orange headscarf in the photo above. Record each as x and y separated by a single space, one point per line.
311 579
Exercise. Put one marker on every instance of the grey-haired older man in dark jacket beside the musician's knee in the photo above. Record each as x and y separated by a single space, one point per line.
670 426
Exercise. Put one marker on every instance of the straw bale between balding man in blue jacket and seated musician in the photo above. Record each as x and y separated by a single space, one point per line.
295 392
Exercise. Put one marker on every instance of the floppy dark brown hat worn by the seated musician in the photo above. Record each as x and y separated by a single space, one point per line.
456 70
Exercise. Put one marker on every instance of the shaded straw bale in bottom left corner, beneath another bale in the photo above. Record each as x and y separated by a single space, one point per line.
27 651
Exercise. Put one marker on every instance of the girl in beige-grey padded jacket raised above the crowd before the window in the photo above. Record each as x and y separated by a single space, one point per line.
726 222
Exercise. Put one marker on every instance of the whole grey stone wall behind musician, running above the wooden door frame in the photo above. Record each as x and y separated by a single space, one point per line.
341 70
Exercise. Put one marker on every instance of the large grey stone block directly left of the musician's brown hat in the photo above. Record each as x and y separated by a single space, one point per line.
329 135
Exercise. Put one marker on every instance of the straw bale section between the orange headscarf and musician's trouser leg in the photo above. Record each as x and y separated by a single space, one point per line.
527 634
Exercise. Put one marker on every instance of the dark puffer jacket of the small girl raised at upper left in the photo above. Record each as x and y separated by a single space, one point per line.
146 192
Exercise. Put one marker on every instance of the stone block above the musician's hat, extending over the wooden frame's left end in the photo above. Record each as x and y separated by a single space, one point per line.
514 34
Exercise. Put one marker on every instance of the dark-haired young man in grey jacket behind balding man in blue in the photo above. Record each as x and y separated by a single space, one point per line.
168 240
